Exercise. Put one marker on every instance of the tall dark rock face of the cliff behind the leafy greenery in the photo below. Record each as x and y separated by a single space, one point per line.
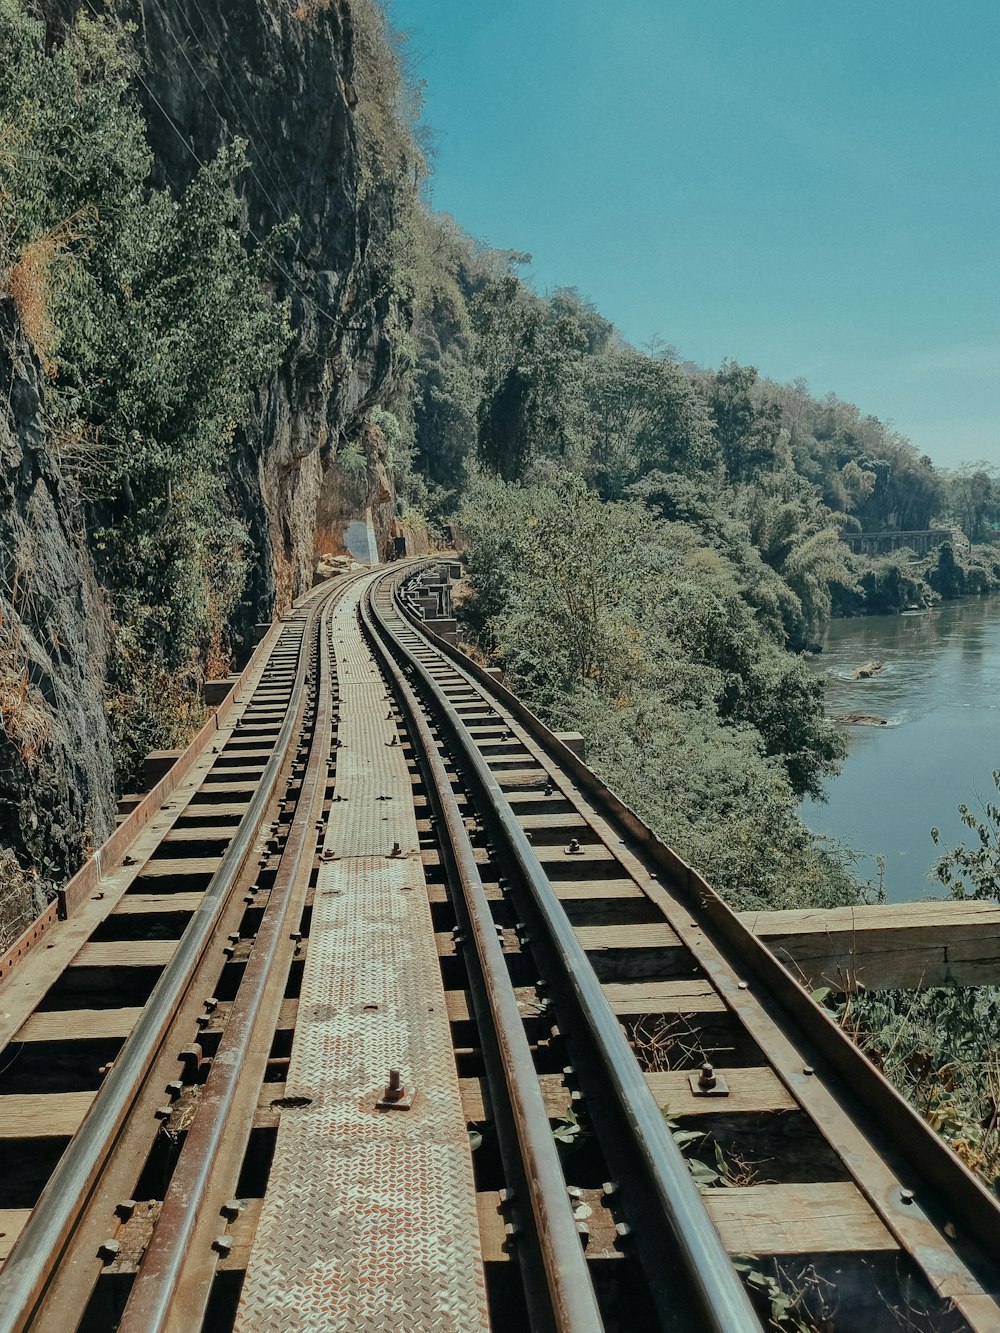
281 75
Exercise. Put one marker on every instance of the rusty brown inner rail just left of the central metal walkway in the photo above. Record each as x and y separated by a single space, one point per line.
151 1303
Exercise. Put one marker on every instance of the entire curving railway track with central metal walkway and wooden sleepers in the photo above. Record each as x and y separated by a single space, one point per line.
391 1015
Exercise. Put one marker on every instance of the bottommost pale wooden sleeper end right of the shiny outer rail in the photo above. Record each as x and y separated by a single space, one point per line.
818 1219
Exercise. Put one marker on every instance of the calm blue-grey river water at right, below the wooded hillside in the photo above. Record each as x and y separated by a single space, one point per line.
939 692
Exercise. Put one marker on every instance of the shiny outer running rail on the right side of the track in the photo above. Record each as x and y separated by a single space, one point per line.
723 1303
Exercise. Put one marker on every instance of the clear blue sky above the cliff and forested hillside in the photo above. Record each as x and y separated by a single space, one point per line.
809 187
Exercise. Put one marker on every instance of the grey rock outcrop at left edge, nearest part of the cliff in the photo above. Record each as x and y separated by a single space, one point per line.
57 784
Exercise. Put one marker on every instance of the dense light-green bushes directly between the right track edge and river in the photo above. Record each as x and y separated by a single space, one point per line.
637 634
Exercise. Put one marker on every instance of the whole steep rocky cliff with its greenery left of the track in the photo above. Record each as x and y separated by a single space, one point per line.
205 315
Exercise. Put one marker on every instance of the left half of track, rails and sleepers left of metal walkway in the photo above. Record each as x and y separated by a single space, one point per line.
135 1016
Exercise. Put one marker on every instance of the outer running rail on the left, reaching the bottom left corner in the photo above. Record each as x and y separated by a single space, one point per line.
39 1248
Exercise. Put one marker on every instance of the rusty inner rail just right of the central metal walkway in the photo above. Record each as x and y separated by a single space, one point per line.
573 1304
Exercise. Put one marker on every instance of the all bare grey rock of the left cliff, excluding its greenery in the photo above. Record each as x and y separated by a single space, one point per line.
282 77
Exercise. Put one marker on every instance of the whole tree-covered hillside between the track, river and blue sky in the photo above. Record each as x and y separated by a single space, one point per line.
653 546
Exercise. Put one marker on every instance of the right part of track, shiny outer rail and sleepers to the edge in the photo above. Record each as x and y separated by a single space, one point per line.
819 1171
